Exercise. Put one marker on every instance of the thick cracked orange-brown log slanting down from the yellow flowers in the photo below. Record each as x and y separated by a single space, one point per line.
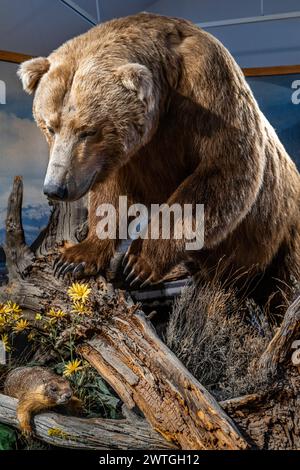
144 372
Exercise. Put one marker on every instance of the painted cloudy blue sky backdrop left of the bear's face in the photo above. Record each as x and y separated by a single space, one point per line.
23 151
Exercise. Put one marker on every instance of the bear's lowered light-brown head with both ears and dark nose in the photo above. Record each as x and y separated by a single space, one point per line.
95 113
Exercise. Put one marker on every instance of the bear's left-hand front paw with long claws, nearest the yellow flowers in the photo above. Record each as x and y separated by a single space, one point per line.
86 258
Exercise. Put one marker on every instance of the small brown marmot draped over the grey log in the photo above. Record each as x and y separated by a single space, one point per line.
38 388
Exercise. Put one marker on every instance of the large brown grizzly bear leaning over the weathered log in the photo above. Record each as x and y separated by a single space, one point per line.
156 109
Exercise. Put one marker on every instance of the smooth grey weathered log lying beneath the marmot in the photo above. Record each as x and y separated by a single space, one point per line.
80 433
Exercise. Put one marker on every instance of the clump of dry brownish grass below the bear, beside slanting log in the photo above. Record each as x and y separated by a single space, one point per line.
219 339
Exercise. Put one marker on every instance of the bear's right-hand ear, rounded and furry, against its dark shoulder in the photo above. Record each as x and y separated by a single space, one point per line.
138 78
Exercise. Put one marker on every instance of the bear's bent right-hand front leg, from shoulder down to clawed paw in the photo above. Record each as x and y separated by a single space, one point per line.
226 200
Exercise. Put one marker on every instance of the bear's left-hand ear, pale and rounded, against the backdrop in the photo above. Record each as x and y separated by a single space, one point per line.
31 71
